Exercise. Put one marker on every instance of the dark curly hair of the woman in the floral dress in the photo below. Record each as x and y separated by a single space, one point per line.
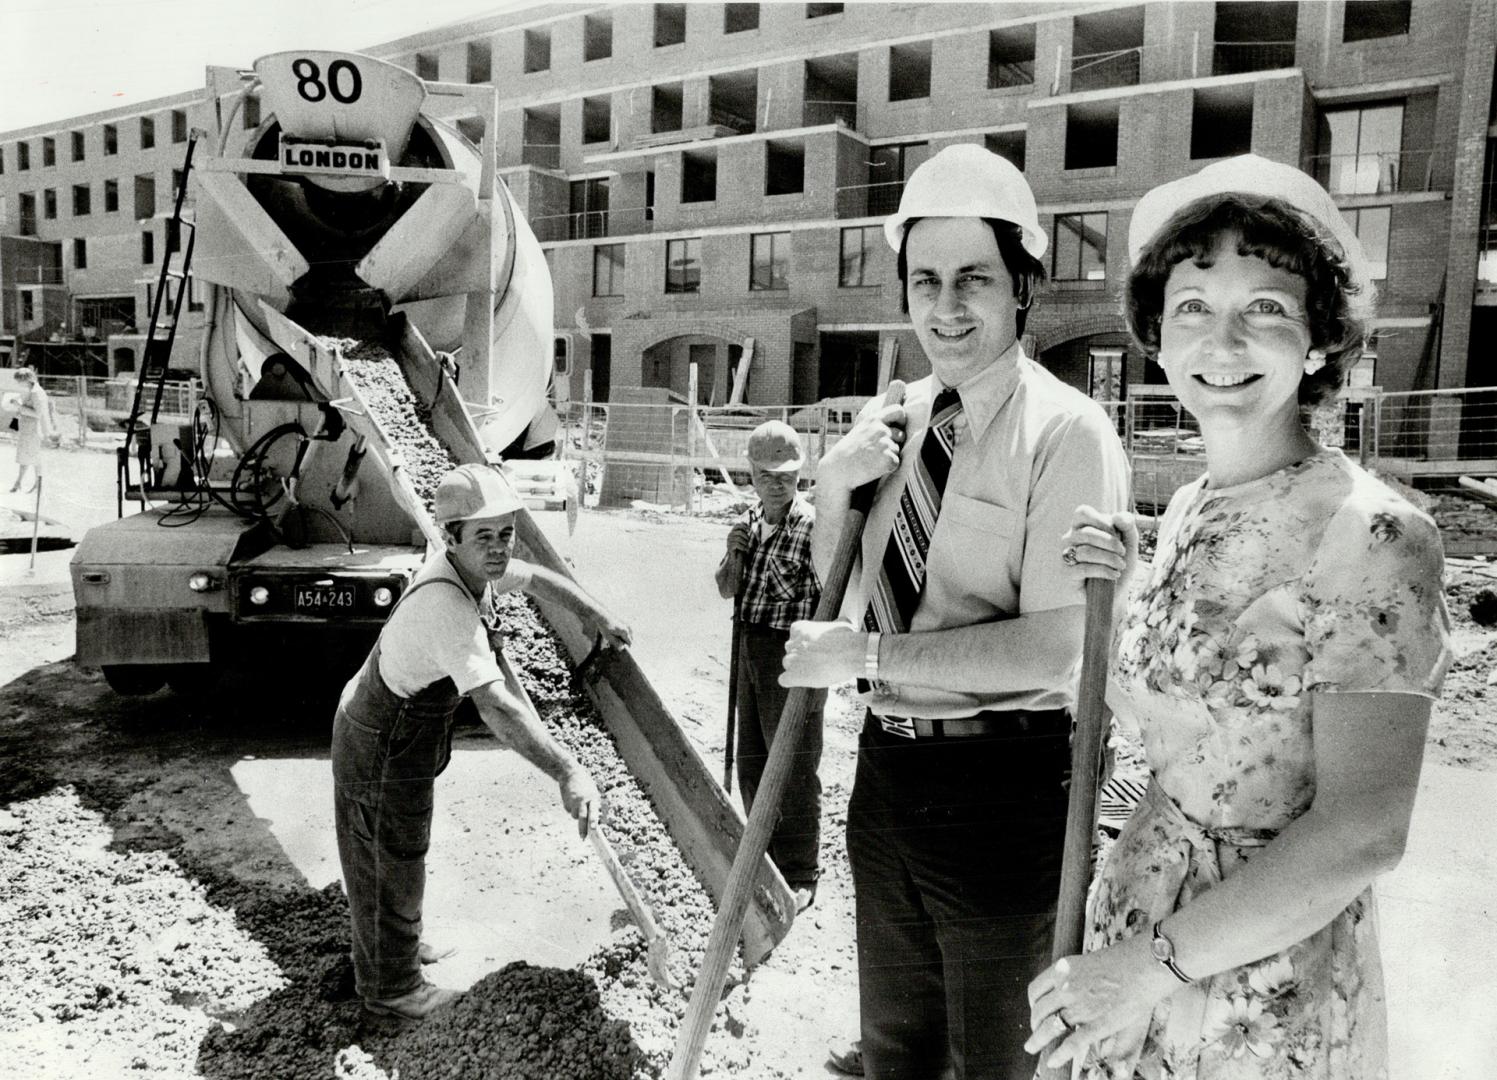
1339 308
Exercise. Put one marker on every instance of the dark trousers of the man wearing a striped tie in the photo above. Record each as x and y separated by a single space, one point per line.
956 852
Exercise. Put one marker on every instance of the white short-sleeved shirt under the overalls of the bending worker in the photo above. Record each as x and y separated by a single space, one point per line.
439 633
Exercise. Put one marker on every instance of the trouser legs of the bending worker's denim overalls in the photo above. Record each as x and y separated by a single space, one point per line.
384 769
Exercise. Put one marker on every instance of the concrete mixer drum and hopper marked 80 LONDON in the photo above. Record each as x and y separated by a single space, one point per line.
415 234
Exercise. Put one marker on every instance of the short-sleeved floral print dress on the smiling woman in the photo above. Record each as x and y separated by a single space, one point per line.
1314 579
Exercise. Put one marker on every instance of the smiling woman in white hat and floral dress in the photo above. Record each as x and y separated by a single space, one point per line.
1281 661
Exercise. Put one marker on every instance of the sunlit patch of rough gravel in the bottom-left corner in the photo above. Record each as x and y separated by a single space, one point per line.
113 959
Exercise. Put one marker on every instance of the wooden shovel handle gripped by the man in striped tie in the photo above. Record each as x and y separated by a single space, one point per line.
737 894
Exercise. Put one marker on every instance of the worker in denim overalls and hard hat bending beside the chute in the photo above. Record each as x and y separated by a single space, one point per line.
393 732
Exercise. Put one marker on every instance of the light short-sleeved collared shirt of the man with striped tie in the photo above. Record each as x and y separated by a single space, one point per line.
1029 452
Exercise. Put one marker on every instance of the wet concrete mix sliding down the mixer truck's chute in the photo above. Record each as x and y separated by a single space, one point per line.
682 907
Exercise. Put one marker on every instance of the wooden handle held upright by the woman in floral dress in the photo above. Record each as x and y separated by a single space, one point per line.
1086 769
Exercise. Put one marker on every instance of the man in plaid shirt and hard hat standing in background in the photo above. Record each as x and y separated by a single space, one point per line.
769 564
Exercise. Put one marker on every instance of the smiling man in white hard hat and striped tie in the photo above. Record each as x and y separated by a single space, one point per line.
963 633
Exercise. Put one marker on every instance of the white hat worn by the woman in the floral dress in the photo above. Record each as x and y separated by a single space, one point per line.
1246 175
